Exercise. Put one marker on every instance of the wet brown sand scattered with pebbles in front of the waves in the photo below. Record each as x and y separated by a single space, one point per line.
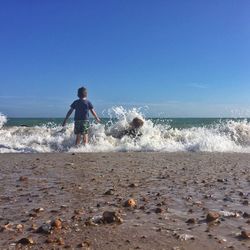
169 189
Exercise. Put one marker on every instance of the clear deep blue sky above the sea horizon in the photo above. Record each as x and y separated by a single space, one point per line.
180 58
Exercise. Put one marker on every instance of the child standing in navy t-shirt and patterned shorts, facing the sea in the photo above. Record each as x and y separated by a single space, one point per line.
82 106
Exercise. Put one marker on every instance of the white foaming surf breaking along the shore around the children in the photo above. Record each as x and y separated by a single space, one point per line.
229 136
